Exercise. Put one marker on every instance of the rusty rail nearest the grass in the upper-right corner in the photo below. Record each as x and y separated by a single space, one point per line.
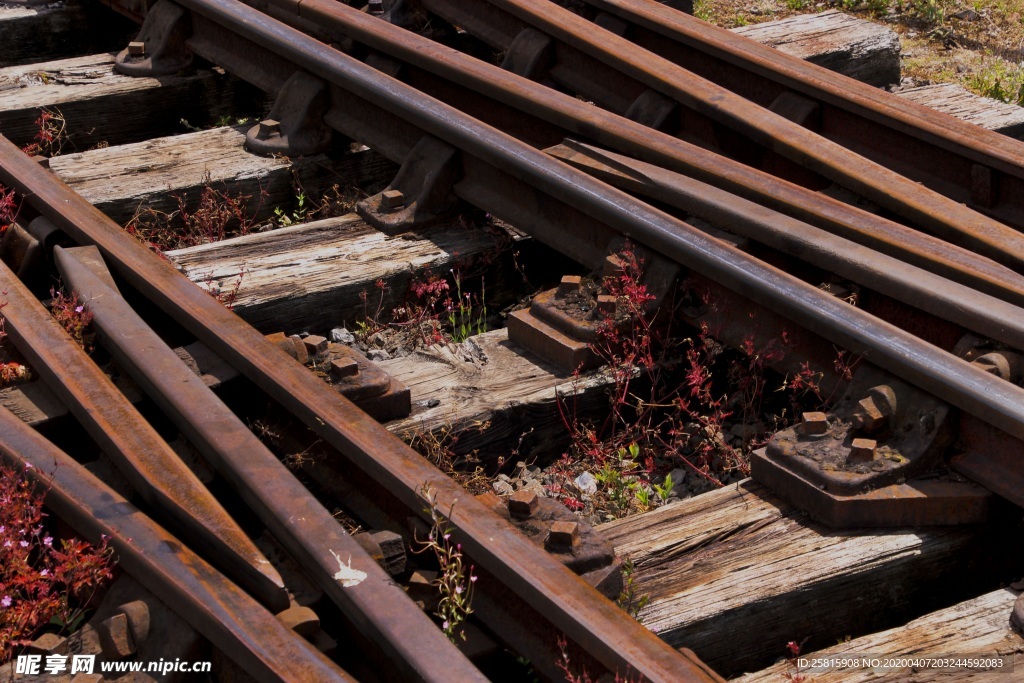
964 162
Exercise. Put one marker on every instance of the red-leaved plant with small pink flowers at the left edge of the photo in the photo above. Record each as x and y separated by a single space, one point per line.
44 584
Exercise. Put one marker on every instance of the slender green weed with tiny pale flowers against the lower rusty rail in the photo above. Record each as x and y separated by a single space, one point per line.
455 580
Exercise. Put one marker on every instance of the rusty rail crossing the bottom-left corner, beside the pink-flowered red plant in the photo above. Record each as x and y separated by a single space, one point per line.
227 616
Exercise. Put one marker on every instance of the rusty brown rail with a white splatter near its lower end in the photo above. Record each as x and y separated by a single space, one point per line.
308 531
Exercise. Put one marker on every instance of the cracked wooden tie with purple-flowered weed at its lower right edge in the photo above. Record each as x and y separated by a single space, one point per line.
311 277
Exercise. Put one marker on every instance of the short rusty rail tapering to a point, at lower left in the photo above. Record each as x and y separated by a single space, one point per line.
147 462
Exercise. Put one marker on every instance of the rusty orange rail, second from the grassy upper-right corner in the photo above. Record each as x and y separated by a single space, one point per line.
616 73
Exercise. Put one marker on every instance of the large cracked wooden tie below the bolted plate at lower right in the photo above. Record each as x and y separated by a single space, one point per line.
737 574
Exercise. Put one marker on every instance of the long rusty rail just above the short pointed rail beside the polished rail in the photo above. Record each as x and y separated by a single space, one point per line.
543 117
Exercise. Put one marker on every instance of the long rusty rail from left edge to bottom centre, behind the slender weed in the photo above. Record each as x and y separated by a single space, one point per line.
599 626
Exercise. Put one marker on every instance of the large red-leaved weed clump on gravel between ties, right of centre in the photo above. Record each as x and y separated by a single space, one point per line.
679 410
